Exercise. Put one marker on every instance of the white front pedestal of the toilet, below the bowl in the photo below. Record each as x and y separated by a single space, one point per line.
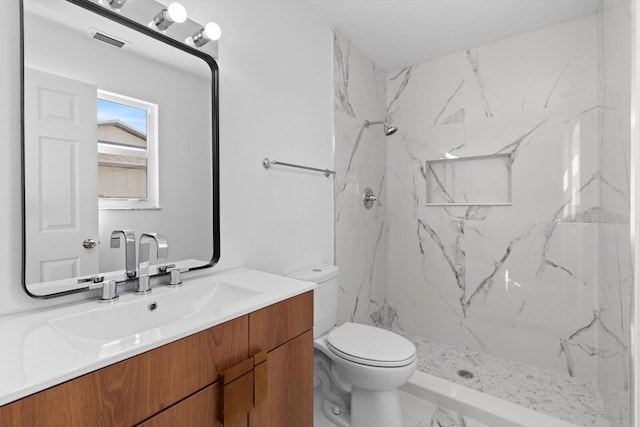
375 408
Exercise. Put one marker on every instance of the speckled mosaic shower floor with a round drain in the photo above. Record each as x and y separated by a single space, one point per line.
570 399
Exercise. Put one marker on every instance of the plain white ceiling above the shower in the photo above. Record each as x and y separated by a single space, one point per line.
396 33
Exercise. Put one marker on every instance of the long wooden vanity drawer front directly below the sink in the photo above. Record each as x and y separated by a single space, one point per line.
131 391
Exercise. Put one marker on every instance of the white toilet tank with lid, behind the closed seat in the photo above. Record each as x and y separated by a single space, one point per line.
325 297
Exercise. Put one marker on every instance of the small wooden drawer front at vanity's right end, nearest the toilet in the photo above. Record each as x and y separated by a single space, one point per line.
276 324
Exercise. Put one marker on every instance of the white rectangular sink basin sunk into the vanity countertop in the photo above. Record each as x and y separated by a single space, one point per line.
164 307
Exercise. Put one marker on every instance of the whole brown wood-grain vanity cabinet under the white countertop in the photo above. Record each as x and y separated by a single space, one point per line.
177 384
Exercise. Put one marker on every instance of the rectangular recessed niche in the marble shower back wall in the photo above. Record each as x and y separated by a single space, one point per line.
469 181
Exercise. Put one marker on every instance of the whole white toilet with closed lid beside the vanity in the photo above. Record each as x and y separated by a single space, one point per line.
359 367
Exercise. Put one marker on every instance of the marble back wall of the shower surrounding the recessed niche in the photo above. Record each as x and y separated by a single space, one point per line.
521 281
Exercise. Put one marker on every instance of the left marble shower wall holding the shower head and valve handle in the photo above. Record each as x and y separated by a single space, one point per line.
360 161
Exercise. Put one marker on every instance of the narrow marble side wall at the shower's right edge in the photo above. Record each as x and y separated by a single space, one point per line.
615 264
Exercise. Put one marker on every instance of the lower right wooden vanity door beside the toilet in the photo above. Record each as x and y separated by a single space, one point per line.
290 386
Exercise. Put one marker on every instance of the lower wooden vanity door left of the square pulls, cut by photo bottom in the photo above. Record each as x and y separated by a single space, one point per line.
199 410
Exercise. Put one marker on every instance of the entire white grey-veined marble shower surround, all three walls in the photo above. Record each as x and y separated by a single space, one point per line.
546 280
